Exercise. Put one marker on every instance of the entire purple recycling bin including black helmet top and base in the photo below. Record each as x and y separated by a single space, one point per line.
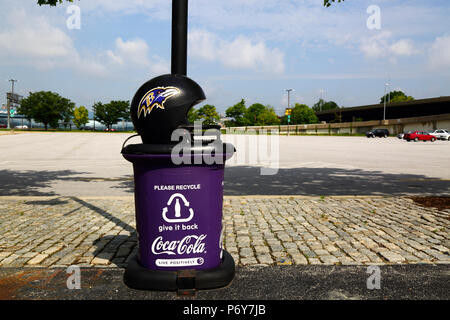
178 187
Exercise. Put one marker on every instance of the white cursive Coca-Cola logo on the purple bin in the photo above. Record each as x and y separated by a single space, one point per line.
189 244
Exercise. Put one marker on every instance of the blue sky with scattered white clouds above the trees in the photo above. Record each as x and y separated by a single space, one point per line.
237 49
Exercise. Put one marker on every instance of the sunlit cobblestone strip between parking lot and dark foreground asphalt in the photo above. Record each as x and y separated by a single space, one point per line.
60 231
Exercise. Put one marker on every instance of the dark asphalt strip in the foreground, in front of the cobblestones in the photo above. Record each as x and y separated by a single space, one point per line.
397 282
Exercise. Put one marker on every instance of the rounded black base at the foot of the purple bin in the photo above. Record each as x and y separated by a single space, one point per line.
138 277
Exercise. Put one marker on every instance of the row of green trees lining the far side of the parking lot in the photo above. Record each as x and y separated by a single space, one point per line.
50 109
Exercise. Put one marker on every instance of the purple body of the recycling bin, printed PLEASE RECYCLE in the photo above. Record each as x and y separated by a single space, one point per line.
178 212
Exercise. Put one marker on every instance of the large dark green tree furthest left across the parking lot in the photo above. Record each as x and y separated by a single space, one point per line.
46 107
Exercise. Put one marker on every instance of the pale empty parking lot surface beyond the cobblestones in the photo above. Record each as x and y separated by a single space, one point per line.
90 164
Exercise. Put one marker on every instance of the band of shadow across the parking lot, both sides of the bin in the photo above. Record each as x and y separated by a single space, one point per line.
246 180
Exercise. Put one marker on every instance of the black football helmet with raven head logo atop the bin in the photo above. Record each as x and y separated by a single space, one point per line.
161 105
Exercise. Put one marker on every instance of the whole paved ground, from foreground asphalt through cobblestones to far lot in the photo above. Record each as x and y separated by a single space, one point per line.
71 202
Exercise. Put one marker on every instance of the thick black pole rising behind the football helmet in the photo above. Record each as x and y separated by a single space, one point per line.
179 36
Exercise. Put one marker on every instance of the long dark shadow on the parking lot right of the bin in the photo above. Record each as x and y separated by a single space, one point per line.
243 180
